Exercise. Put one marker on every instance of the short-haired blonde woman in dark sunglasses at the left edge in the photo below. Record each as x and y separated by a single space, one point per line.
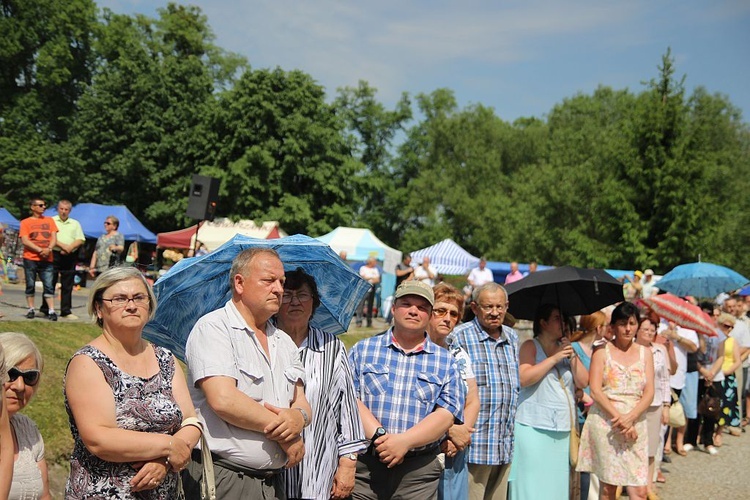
29 466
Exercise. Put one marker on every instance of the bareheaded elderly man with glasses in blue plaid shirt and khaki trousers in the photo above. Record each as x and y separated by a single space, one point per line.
493 349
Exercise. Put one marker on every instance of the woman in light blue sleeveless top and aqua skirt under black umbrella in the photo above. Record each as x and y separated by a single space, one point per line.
550 372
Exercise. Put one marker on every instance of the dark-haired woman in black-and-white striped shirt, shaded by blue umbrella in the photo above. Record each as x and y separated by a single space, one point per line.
335 435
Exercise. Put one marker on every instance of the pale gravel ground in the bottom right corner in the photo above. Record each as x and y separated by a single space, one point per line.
699 476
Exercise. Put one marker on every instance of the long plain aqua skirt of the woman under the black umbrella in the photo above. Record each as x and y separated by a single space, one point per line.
539 453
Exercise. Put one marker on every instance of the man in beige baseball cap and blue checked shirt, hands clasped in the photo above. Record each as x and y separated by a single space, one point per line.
409 393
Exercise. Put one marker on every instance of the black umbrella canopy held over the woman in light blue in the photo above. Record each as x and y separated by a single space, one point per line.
575 290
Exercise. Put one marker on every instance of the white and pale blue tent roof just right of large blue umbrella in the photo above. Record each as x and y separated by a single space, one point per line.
360 244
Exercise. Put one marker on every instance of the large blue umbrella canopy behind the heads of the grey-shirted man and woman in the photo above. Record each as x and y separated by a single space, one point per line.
196 286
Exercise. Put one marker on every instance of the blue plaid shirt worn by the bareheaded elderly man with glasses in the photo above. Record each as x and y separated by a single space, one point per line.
495 364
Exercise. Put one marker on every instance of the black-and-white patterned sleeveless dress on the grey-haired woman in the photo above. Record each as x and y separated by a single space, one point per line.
141 404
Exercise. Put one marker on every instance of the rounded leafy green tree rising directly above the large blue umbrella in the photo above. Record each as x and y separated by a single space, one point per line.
279 150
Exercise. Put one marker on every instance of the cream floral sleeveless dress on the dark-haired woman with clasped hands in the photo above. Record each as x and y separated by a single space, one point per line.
605 452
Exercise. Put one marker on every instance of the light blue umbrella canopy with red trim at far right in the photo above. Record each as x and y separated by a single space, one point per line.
701 279
